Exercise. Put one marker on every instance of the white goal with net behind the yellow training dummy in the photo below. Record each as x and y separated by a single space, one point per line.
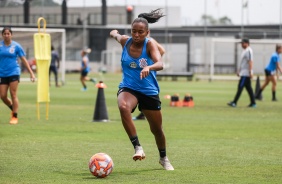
24 36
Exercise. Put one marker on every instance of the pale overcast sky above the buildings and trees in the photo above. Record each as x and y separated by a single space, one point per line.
257 11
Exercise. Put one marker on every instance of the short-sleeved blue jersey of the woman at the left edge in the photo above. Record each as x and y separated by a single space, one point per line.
8 59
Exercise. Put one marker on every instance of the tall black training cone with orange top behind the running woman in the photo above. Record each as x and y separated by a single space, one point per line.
100 112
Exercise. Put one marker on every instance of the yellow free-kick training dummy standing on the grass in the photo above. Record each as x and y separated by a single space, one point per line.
42 53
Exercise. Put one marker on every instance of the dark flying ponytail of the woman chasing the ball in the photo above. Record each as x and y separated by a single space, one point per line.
151 17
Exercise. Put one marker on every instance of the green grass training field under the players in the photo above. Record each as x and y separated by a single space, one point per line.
210 143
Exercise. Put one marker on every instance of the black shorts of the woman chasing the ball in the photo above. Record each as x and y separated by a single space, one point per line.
144 101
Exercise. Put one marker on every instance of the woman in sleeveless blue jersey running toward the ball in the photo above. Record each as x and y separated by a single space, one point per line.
140 60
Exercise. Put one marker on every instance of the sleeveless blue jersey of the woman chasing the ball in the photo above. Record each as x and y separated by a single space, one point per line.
131 71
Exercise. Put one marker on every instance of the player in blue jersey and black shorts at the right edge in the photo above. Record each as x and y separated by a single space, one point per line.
270 70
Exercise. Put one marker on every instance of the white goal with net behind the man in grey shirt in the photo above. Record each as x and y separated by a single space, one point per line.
227 51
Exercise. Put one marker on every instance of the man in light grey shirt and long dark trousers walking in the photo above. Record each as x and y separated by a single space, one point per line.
246 73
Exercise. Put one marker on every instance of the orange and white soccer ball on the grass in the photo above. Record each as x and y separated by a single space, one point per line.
101 165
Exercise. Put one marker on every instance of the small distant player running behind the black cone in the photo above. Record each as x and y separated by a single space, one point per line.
85 68
